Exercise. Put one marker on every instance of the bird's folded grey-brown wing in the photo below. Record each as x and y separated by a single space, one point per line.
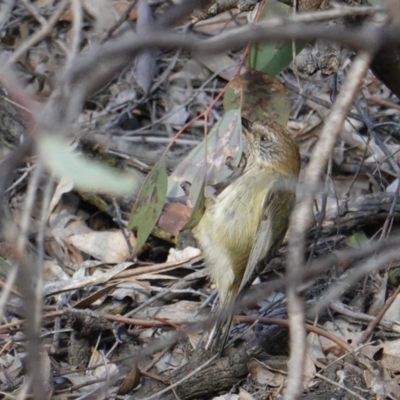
271 230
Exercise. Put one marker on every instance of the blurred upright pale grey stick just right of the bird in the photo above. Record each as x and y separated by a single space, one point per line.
302 217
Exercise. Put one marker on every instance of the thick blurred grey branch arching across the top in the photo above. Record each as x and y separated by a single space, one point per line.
87 78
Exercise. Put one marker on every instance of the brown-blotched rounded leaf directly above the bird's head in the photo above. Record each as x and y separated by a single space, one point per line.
259 96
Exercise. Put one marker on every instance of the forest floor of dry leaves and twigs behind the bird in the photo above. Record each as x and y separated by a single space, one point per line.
113 325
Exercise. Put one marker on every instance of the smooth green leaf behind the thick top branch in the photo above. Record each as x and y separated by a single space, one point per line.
273 58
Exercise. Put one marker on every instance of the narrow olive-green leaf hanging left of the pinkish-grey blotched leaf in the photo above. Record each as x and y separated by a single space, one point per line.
149 204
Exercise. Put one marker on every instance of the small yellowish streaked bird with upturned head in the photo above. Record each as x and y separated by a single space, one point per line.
246 222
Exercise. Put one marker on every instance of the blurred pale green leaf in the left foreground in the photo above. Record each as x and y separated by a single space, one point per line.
85 174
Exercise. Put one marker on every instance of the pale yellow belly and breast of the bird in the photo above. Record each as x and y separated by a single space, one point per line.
226 233
